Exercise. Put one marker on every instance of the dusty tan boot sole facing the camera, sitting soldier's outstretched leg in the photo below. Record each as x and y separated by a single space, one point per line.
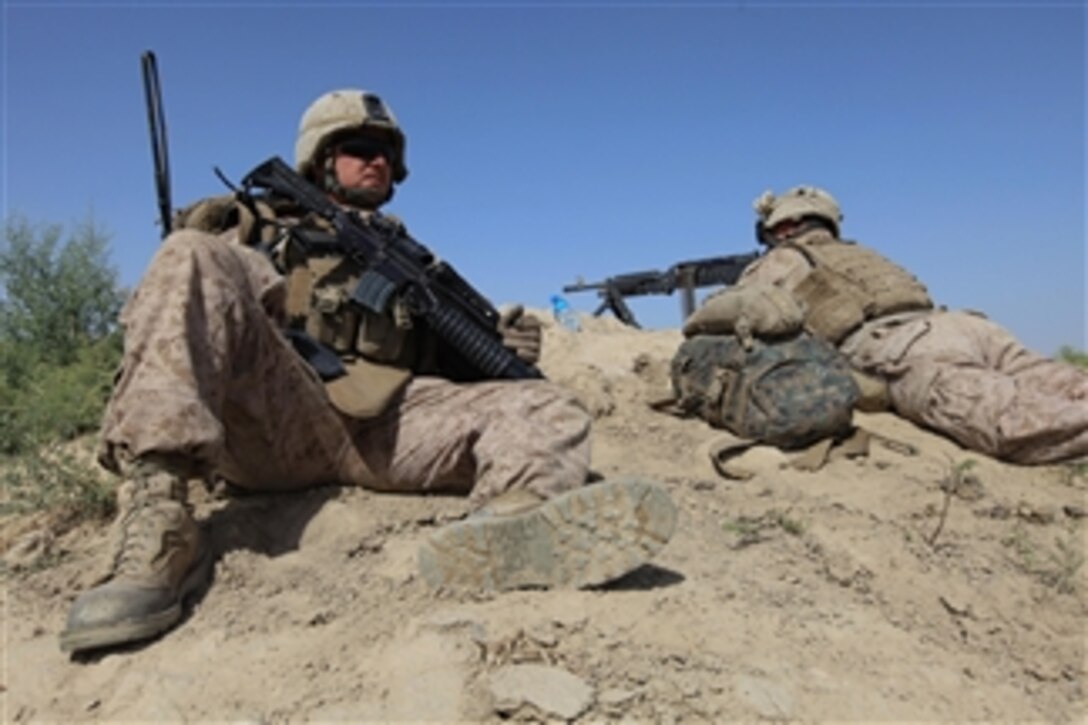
582 538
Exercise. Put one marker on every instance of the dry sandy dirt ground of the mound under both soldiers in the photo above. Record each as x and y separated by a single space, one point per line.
872 589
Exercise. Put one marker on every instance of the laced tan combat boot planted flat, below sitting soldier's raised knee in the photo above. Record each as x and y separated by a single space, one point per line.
159 559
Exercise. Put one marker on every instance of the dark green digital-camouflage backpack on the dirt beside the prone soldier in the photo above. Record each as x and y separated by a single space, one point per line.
789 394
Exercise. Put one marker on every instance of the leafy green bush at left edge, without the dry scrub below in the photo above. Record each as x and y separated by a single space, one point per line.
59 338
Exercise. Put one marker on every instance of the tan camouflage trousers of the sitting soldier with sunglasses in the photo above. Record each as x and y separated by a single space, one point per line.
207 375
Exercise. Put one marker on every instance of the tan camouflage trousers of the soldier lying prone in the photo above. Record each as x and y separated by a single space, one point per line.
970 379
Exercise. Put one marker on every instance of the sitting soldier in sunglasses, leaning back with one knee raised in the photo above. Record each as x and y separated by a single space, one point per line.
211 387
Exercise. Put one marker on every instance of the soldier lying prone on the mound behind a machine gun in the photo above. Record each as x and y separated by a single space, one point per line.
953 372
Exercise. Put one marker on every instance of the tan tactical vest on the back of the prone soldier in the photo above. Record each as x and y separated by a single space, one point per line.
850 285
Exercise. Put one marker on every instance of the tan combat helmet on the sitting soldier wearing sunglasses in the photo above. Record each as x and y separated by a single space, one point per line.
341 113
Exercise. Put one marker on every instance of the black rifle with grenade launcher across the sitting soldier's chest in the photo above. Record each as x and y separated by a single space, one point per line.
398 266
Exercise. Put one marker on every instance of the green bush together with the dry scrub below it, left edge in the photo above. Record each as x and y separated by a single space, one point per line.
59 348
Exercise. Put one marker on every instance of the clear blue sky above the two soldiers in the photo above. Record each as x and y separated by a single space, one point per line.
550 141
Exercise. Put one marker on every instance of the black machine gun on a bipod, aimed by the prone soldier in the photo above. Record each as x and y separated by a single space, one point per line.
686 276
